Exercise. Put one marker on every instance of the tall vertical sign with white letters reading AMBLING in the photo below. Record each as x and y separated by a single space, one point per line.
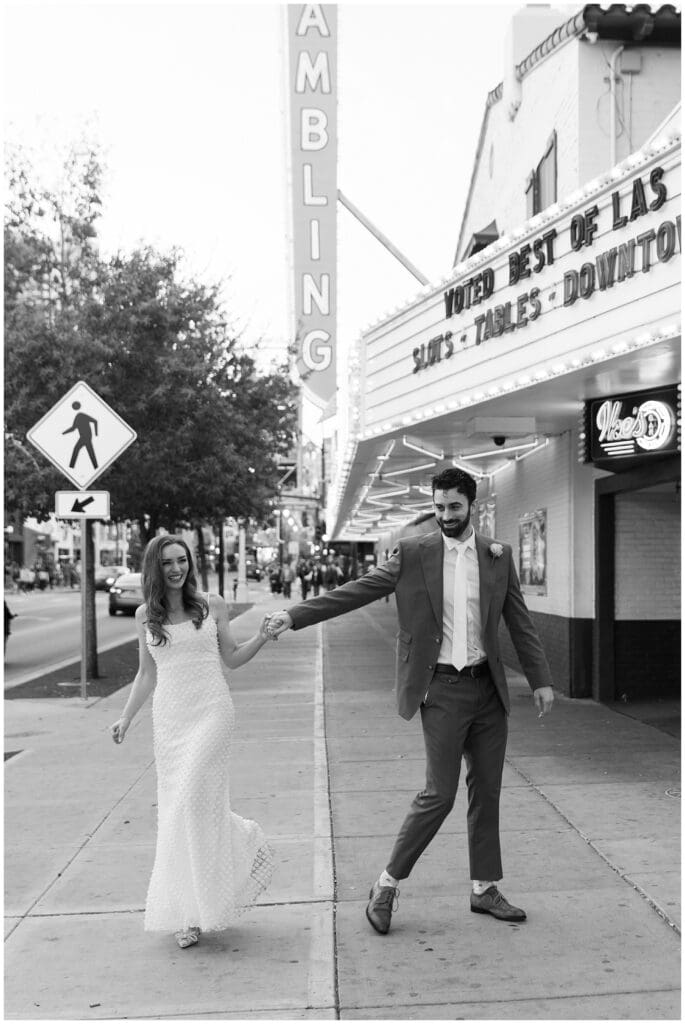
314 155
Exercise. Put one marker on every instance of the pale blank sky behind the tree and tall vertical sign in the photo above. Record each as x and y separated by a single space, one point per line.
189 103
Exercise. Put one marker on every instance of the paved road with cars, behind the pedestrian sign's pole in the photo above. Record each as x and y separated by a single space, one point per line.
48 631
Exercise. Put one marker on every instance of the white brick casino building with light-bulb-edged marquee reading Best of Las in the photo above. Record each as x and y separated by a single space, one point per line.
547 362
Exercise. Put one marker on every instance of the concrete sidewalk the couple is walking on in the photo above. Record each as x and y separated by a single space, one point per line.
590 835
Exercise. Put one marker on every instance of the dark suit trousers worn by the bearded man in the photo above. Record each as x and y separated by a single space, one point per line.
461 717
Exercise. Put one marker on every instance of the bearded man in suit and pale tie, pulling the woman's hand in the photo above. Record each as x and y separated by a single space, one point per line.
452 588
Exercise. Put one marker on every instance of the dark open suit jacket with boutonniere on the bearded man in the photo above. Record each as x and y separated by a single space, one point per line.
414 573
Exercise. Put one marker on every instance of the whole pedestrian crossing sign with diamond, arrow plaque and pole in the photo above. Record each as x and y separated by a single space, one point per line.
82 437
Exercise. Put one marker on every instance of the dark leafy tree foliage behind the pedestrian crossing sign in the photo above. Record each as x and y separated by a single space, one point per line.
158 348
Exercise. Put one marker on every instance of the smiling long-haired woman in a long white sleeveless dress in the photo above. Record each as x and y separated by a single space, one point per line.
209 864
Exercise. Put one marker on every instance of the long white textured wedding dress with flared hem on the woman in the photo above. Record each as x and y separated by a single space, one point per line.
210 864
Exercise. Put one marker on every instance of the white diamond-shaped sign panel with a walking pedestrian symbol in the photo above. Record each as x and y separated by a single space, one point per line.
81 436
